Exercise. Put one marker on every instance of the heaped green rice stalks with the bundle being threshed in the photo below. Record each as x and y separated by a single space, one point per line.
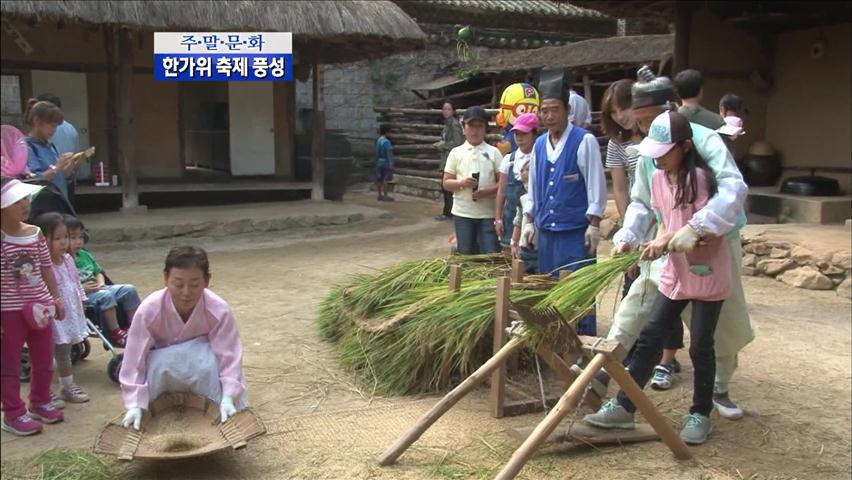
405 332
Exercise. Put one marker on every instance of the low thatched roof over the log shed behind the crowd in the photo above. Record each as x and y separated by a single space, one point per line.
588 55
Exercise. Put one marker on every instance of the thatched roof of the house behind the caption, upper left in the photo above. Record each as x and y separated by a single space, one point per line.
341 30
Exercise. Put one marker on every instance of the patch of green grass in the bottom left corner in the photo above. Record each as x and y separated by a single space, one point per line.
61 464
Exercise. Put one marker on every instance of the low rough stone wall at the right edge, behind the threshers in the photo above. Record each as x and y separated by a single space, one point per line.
796 265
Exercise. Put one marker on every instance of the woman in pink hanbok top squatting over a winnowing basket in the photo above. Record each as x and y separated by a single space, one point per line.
183 338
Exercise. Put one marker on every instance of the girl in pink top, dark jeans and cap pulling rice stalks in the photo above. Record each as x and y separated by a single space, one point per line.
681 185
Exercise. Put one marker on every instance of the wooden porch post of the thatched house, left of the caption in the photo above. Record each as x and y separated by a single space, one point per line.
129 192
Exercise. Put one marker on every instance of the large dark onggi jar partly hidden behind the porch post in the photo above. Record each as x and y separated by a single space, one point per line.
337 153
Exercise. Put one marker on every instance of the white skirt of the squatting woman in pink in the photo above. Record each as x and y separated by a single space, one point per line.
188 367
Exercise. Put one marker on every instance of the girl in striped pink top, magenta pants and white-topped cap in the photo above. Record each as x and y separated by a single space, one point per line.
27 280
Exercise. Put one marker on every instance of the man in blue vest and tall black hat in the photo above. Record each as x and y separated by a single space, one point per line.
567 187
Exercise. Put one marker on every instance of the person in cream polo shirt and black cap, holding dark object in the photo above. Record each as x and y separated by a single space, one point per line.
471 173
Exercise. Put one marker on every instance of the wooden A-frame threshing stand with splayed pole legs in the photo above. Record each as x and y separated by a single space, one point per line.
600 353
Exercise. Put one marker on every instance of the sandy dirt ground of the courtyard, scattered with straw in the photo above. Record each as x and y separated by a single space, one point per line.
794 380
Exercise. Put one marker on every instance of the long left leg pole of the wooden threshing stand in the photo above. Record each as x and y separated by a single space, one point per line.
498 360
